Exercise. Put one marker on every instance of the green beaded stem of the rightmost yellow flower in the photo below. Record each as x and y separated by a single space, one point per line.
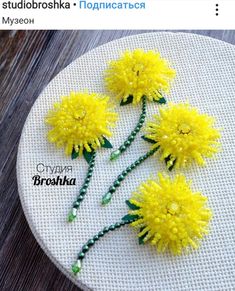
112 189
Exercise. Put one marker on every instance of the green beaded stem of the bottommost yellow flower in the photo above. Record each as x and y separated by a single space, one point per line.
76 267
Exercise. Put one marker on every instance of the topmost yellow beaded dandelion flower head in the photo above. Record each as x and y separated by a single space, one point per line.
139 74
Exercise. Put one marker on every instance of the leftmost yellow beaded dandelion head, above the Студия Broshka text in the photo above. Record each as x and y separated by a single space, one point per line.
80 121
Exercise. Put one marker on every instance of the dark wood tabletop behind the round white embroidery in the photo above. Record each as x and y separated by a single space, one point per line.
28 61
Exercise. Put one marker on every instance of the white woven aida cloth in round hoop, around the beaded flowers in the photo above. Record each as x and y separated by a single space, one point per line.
206 78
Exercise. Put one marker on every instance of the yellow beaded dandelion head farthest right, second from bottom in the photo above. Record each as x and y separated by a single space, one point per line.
183 134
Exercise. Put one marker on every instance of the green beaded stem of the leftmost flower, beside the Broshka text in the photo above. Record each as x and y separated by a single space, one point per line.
73 213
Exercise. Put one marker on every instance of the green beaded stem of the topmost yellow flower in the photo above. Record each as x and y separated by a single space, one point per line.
131 137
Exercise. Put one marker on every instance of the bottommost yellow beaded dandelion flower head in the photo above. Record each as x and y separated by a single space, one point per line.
170 215
